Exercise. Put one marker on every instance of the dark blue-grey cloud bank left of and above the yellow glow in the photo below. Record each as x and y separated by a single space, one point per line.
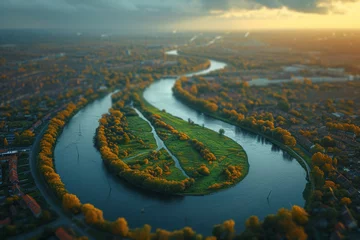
136 14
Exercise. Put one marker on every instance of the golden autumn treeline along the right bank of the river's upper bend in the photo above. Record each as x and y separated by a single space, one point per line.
256 122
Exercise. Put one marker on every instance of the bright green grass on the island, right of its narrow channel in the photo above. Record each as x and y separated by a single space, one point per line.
227 152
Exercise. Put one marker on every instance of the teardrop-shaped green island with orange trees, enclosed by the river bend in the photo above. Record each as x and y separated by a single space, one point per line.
207 161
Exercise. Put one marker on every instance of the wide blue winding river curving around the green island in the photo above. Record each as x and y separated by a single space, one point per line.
81 169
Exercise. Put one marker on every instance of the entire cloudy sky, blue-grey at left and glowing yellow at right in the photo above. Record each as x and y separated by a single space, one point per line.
124 15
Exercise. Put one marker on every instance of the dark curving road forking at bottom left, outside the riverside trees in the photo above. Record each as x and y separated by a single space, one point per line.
63 219
